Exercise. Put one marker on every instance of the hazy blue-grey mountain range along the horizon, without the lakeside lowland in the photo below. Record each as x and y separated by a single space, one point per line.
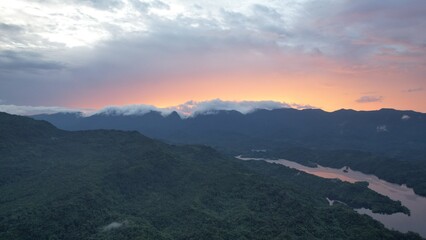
399 134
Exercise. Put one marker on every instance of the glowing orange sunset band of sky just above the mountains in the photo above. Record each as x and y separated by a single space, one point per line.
327 92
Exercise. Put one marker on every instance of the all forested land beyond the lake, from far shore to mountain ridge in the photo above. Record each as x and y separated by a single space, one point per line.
388 143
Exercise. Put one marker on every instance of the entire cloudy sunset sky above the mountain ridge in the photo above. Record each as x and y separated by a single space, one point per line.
60 55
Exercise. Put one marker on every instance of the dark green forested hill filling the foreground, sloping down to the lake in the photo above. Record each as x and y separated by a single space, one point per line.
121 185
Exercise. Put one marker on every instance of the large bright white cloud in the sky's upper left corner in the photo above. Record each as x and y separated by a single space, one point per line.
66 24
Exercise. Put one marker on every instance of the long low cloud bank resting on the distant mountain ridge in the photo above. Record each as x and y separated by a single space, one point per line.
188 109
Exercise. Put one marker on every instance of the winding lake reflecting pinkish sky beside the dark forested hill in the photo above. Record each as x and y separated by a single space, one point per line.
416 222
